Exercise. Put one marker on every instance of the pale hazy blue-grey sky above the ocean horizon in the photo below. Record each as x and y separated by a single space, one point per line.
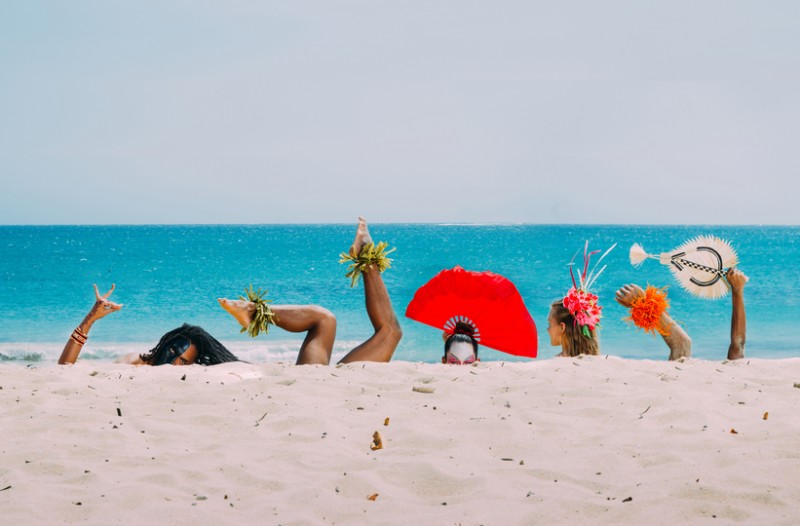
457 111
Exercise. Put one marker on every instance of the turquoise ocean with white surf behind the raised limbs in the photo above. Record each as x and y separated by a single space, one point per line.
167 275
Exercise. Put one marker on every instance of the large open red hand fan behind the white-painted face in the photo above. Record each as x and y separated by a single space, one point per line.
489 302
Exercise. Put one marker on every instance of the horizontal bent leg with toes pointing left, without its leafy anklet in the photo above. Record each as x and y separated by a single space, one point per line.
318 323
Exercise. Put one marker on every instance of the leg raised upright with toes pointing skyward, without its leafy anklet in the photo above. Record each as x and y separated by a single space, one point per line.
381 345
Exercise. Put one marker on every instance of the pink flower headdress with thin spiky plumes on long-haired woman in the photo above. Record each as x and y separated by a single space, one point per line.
580 301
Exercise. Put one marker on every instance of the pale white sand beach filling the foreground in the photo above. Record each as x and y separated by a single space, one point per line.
560 441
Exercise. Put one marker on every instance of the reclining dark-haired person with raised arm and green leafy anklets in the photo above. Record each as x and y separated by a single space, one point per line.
190 344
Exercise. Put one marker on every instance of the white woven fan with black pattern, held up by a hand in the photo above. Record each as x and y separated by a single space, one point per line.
699 265
